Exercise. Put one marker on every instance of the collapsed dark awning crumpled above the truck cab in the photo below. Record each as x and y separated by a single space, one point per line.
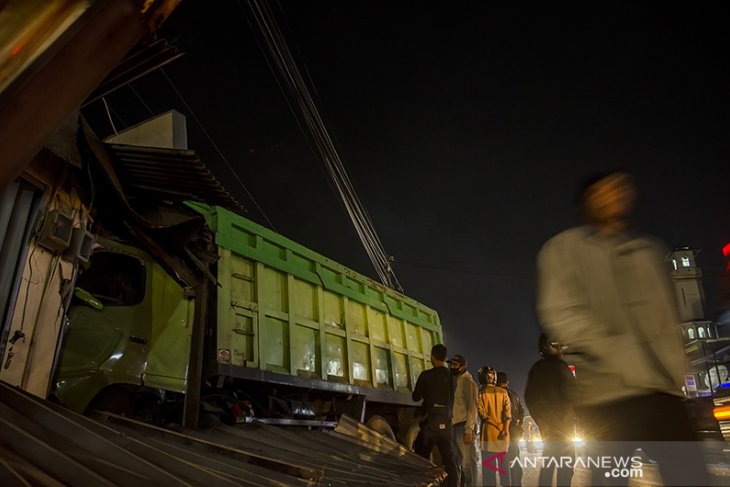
144 189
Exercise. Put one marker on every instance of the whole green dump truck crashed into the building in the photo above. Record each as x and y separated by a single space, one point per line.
289 333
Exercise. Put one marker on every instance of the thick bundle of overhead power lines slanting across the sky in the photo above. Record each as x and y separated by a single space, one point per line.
298 94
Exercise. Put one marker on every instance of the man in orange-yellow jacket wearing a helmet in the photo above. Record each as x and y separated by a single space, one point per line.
494 410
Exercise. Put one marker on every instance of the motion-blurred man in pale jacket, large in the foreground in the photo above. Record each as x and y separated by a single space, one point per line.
604 290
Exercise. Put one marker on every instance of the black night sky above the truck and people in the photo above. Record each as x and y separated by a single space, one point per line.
465 129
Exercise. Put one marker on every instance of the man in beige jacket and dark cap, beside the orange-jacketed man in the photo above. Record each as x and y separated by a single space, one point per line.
465 420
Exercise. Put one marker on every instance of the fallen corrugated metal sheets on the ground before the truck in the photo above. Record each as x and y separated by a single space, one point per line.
45 444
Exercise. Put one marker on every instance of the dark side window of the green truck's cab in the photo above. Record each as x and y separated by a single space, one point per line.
114 279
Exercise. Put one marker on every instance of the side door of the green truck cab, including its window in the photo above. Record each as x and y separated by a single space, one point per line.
107 337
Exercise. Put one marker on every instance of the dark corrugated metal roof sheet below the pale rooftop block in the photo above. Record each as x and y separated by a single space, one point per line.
175 174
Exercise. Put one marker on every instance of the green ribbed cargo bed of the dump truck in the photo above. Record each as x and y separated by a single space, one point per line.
287 310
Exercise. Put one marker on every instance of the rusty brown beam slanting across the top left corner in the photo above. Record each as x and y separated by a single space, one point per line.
45 93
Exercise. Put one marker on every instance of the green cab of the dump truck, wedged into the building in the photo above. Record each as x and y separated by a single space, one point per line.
129 329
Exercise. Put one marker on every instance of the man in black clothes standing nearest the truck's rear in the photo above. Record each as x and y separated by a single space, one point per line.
435 387
